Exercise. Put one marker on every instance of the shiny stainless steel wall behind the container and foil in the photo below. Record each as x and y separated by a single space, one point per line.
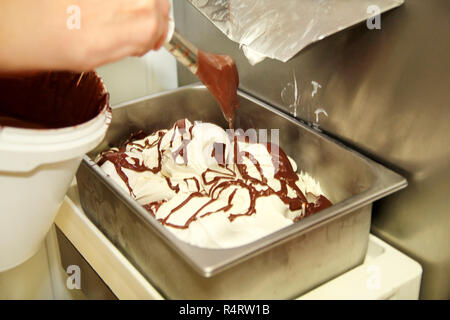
385 92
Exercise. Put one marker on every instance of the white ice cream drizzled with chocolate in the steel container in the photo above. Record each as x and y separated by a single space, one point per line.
211 188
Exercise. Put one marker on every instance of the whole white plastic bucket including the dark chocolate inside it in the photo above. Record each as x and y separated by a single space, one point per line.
42 163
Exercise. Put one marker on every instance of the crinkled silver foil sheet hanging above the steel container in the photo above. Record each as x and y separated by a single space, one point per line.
280 29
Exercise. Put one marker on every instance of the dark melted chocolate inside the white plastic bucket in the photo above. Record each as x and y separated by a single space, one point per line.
50 100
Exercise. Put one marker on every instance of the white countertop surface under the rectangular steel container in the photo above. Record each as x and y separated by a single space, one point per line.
385 274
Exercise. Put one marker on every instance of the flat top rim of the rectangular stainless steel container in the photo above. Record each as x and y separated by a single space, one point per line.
209 262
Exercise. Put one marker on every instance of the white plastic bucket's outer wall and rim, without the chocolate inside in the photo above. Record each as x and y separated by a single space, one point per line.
36 169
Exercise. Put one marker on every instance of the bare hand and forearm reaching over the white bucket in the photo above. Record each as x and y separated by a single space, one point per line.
78 34
